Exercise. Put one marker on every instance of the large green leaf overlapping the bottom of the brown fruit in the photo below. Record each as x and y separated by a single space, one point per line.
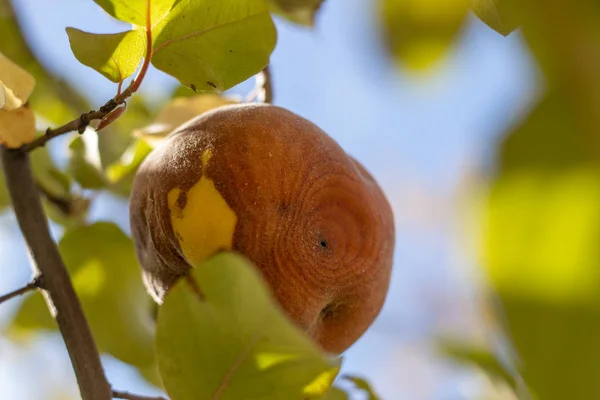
221 334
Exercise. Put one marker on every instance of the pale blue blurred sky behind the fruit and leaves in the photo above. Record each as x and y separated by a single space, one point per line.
419 137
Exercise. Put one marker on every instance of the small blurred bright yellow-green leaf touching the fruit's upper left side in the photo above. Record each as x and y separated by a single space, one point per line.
121 173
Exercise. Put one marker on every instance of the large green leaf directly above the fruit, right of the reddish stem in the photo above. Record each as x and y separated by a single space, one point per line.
214 45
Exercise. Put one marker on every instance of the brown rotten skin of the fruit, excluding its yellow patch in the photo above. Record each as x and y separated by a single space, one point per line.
311 218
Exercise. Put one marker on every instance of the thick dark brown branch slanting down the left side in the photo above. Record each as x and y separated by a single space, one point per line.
60 295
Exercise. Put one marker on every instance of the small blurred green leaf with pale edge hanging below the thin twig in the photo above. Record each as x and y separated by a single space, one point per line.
82 168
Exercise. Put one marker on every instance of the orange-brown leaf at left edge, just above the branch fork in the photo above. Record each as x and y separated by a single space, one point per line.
17 127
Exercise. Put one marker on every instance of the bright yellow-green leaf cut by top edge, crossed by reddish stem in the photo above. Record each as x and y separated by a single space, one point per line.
135 11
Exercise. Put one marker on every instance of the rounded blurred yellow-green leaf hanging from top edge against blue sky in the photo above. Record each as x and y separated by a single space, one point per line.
419 33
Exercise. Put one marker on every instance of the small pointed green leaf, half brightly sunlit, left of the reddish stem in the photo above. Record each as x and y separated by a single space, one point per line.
115 55
